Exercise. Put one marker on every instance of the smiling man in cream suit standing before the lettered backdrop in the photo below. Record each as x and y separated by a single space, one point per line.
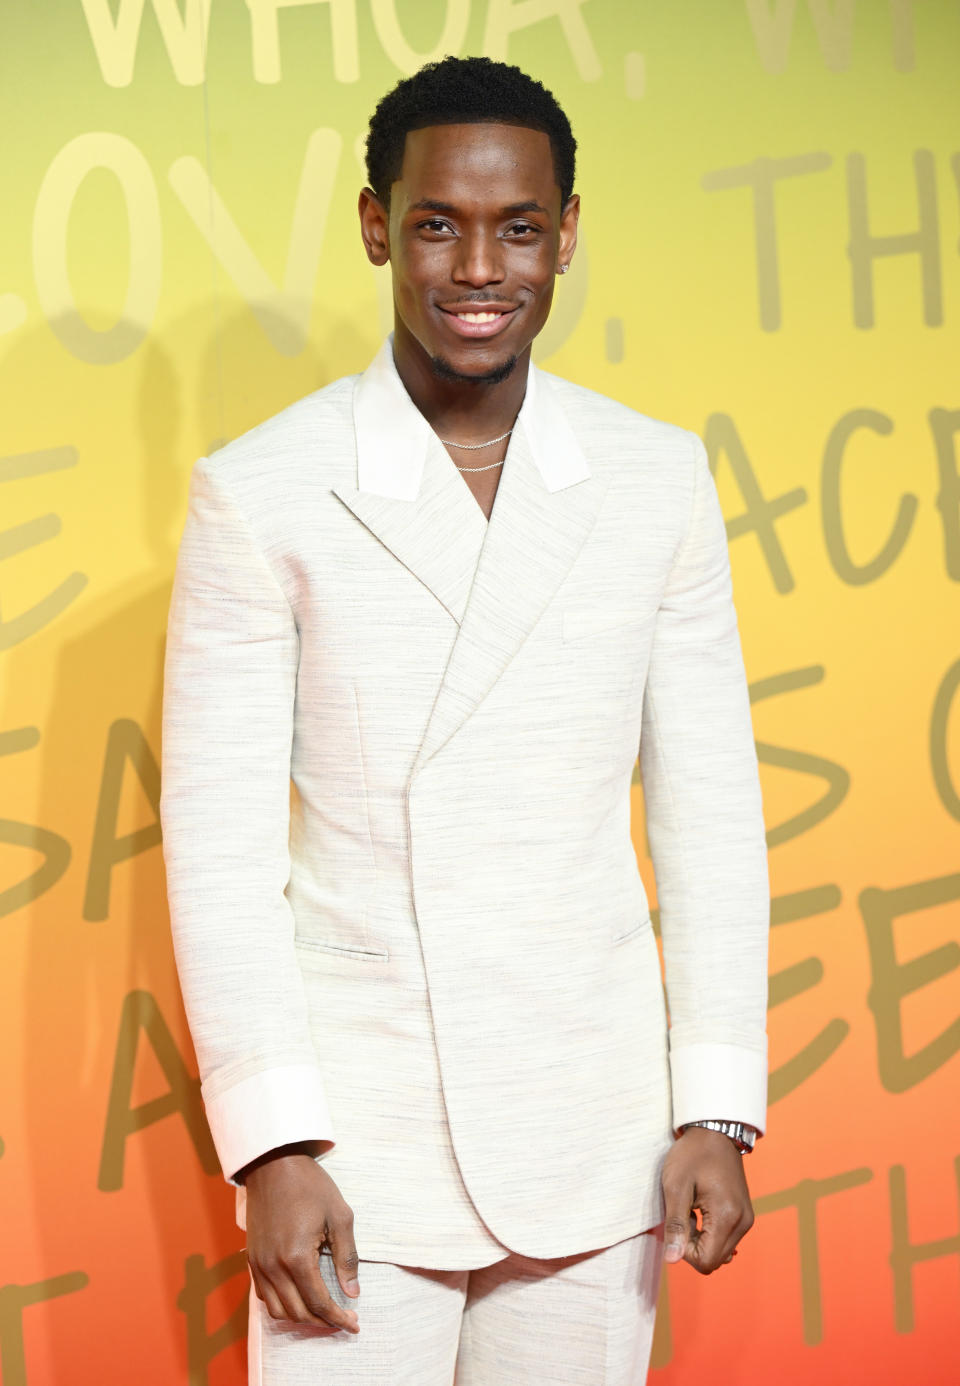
452 599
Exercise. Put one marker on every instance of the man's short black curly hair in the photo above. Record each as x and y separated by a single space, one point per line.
466 92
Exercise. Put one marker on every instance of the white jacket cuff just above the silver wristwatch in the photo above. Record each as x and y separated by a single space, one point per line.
720 1082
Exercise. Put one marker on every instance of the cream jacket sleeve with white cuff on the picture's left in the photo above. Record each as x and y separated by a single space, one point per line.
229 691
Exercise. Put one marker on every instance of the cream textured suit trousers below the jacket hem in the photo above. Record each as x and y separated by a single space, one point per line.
578 1322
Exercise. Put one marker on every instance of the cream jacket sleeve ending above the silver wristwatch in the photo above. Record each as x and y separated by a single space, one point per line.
706 828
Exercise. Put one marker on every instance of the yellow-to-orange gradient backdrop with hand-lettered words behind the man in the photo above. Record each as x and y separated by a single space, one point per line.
771 218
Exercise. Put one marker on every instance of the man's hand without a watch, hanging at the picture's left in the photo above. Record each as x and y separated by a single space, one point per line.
294 1209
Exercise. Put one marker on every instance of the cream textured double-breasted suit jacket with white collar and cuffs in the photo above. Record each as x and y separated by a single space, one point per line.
434 949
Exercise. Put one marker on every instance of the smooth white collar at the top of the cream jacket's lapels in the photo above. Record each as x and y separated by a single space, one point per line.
393 437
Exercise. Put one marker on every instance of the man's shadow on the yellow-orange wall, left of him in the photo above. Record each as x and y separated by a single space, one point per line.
124 1183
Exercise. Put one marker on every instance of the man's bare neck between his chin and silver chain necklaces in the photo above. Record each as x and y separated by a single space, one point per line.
452 408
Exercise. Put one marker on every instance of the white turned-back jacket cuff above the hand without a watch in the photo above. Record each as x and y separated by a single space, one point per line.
272 1108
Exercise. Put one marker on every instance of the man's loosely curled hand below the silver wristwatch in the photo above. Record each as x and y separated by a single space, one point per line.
704 1170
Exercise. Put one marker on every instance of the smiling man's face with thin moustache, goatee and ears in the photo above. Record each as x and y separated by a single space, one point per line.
476 238
